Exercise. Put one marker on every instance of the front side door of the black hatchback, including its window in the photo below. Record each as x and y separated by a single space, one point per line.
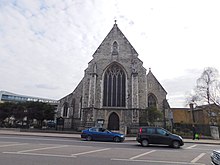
162 136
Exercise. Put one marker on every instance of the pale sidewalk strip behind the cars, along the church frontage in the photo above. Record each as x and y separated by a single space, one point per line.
77 135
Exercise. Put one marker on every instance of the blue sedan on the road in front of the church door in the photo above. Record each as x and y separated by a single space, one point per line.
101 134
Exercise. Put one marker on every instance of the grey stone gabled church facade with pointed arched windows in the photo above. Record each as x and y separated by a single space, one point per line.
115 89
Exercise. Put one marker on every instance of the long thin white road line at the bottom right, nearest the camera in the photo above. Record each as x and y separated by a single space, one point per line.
157 161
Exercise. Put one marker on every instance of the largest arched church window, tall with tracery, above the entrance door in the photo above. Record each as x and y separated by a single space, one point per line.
114 87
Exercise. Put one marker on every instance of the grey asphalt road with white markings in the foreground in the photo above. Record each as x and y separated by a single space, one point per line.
33 150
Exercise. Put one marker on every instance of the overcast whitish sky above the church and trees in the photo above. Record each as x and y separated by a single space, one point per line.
45 45
